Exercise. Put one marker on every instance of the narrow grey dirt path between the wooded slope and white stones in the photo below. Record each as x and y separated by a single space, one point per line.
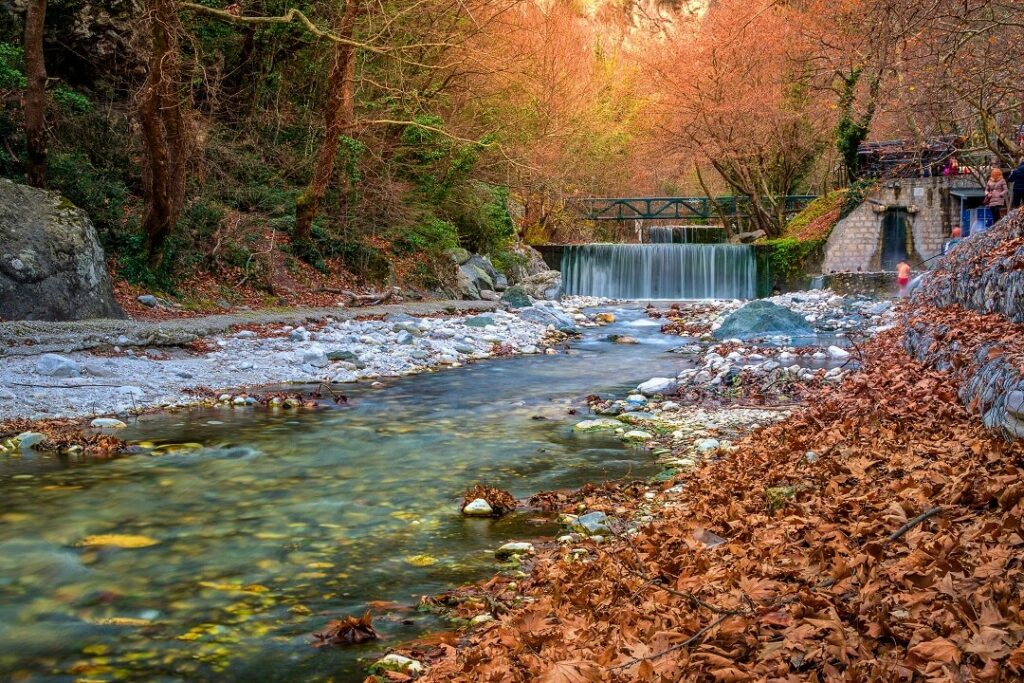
34 337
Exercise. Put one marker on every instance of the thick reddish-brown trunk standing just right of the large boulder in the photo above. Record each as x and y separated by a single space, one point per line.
165 146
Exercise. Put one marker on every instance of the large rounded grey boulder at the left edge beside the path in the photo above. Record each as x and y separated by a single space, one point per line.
52 265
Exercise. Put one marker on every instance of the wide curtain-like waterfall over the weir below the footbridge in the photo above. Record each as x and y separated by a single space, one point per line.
661 272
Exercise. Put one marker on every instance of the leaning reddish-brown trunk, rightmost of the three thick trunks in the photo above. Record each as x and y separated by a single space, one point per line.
338 117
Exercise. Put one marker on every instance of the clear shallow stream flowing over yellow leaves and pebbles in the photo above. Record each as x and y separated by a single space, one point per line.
274 524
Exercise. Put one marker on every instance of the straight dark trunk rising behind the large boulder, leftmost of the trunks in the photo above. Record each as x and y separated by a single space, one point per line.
35 93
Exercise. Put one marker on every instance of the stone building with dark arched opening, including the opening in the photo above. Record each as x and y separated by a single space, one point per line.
906 219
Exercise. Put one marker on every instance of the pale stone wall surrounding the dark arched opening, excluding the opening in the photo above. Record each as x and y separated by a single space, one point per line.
856 244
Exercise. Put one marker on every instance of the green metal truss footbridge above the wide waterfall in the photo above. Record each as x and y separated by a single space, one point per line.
675 208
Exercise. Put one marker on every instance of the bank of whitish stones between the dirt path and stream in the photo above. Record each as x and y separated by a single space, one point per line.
241 362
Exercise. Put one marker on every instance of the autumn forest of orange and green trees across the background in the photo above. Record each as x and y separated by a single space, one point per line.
372 138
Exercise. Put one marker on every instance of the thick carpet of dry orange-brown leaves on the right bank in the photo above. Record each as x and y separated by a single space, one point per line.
876 536
